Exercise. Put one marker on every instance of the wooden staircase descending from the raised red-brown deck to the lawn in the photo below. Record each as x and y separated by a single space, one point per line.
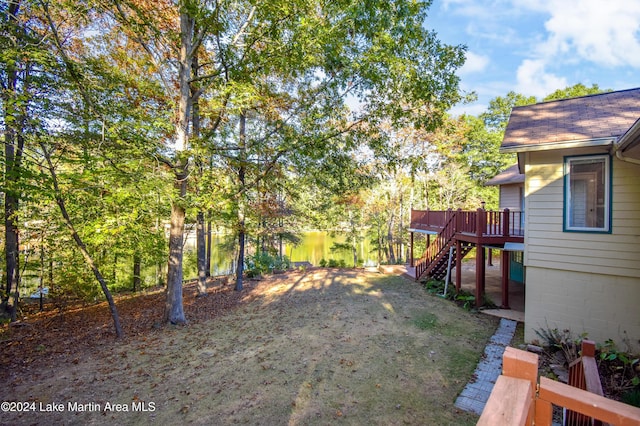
435 262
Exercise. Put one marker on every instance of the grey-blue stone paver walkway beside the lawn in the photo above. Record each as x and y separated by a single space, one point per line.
475 395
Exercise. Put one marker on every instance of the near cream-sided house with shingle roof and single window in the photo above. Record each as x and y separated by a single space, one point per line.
580 159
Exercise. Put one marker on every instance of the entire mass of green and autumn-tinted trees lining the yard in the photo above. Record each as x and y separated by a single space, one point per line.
138 120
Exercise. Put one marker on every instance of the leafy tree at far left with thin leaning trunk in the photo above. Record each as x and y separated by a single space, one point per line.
65 113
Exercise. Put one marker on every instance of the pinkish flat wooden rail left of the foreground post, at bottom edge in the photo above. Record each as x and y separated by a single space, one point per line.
509 403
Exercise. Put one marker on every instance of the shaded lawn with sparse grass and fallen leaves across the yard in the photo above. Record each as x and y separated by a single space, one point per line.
325 346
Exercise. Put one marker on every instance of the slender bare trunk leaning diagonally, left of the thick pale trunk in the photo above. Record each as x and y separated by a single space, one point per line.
80 243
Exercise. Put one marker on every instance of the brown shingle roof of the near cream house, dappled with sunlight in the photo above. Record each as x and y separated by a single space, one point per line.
587 119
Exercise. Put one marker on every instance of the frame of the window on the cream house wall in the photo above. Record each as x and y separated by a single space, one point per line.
605 203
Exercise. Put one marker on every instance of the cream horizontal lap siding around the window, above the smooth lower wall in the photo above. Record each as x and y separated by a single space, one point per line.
548 246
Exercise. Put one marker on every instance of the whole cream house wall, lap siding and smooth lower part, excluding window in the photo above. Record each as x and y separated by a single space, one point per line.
580 281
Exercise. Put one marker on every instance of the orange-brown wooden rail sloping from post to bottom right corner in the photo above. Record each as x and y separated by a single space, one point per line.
587 403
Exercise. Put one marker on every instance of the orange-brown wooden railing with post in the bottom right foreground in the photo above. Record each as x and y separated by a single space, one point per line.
517 398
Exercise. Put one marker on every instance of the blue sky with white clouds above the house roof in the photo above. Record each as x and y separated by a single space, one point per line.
534 47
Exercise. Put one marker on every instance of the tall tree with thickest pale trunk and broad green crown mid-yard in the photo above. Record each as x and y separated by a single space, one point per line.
285 66
